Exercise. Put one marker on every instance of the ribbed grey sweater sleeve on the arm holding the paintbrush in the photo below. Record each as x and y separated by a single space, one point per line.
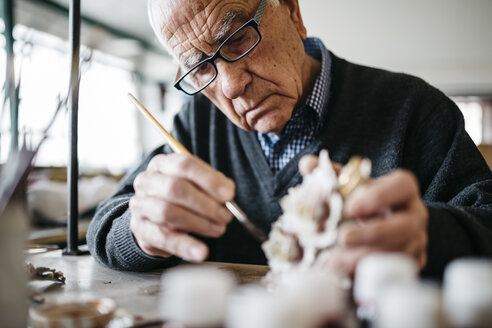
109 237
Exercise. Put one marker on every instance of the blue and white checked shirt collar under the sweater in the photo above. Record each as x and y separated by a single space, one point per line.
306 122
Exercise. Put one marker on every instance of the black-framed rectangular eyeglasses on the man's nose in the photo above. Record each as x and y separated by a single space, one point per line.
240 43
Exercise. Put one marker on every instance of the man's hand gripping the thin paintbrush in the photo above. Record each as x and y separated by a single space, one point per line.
177 195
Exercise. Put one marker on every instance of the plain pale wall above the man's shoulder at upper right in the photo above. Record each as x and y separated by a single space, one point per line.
446 42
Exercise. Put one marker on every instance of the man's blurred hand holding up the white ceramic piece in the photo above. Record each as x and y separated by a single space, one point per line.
388 215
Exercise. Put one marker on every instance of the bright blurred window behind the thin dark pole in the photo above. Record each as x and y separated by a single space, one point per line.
108 138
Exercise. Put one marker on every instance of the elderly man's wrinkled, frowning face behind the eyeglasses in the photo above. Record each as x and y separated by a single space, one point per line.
260 91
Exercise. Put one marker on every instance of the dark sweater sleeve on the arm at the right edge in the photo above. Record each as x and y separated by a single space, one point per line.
456 187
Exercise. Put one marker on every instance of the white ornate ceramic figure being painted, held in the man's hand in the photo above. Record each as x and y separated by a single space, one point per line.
304 235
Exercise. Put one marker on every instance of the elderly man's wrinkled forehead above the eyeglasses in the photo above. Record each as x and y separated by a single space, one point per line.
192 29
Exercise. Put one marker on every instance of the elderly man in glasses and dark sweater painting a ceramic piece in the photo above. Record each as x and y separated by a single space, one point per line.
266 96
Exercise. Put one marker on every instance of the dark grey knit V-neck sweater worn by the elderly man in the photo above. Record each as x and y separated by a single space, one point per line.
395 120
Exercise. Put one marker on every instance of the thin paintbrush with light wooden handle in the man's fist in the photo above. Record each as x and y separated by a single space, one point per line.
177 147
